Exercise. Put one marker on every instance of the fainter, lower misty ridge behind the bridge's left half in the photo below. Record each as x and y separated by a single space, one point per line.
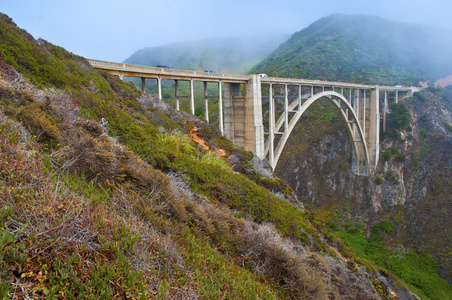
221 55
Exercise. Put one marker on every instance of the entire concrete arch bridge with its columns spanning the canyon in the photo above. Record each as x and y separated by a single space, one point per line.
243 121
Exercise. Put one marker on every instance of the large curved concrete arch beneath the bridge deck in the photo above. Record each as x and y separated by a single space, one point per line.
354 127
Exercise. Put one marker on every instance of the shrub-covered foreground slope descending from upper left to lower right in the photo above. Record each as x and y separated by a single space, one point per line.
104 195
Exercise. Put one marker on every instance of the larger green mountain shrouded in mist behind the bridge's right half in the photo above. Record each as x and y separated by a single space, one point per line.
362 49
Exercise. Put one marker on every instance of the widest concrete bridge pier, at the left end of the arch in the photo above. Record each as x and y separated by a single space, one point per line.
243 115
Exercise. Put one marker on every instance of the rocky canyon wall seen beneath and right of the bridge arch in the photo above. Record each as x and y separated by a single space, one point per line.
410 191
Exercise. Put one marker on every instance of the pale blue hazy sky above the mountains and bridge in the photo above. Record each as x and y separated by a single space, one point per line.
113 30
